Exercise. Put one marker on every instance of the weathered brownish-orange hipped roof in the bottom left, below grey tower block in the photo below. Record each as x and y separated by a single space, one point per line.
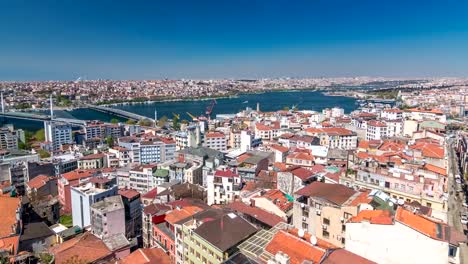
86 247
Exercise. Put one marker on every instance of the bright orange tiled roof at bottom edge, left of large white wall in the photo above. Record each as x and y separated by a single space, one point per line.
297 249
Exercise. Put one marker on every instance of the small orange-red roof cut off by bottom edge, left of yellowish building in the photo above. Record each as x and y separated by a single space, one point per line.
147 256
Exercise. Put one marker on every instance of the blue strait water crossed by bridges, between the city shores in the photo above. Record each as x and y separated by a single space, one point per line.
270 101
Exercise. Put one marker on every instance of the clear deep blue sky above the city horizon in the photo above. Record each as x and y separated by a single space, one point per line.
44 40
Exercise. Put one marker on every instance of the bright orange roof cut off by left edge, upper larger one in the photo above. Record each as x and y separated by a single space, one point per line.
8 207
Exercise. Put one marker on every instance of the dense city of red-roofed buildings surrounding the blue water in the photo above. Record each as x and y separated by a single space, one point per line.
287 186
